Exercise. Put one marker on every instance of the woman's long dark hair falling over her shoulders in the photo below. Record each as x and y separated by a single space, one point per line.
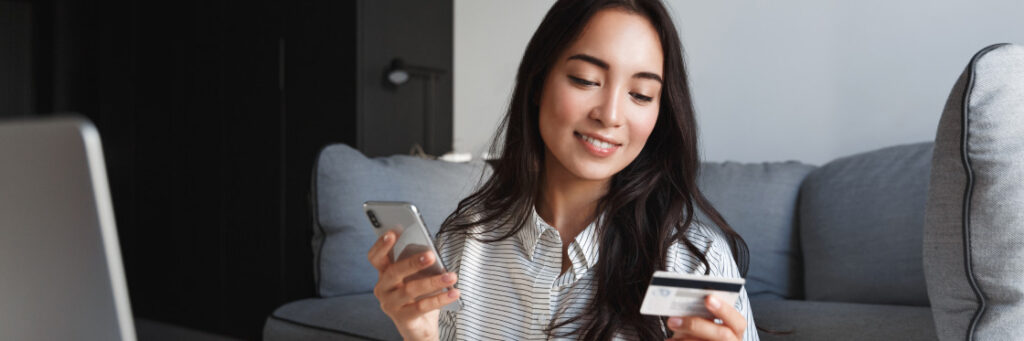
651 204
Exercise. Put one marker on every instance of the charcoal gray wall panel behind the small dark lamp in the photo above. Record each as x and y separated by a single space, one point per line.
396 118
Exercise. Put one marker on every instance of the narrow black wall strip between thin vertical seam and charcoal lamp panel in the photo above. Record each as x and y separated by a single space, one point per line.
320 96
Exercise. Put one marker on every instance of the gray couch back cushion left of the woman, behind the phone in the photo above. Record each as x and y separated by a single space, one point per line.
345 180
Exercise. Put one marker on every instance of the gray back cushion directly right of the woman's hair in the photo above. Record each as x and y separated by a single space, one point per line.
759 201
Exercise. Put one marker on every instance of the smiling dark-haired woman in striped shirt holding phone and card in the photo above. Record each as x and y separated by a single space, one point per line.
595 190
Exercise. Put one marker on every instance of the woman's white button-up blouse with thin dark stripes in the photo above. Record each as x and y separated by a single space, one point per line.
513 289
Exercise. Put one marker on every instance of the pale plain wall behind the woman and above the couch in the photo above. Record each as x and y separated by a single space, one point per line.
804 80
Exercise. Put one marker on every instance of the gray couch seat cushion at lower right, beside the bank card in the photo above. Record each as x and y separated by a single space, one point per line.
837 322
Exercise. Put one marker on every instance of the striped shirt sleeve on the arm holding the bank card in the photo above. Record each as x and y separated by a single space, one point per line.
721 263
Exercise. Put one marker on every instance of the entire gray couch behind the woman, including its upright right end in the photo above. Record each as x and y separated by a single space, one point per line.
836 250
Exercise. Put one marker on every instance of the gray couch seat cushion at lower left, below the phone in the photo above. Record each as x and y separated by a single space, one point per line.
343 318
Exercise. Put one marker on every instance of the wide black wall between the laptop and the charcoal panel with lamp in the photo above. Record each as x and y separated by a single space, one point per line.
211 114
